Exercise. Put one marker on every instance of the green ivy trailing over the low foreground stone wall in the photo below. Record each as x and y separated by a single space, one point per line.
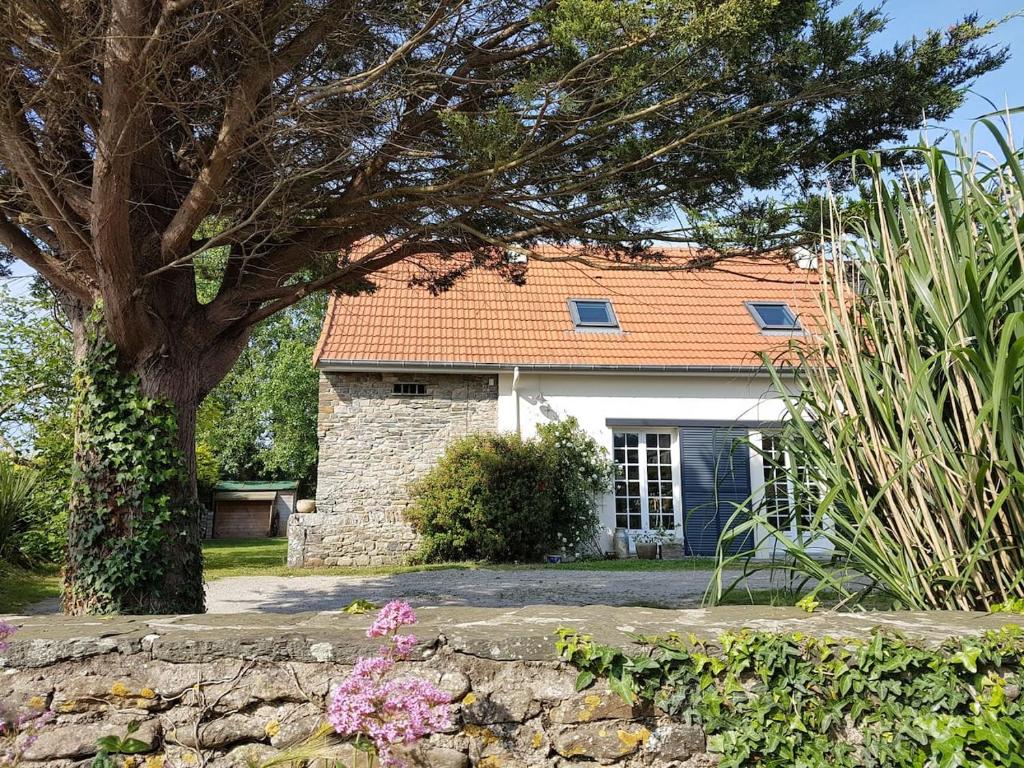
784 701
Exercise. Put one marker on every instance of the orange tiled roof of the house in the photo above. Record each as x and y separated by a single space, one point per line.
669 317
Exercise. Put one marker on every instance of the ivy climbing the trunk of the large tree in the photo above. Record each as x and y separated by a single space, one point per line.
134 540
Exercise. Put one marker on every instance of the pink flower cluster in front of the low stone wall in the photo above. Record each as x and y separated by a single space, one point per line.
381 713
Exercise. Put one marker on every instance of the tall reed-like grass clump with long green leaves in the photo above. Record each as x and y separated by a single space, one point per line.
909 421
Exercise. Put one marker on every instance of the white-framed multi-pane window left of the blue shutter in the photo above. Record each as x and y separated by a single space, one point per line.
648 488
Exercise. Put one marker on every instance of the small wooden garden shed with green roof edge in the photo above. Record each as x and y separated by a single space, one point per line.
252 509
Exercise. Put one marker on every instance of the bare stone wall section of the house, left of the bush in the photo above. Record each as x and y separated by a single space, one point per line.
373 444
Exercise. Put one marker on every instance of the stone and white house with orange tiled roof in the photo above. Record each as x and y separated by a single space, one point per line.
660 363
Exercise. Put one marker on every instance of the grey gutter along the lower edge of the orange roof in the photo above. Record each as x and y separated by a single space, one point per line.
466 368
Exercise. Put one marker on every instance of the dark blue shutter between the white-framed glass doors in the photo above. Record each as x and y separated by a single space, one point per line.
716 480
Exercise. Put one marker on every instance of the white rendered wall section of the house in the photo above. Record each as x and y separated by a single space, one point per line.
593 399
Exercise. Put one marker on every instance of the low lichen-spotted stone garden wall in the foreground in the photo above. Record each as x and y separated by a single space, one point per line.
222 691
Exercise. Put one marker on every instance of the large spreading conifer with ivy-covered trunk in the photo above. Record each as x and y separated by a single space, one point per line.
138 138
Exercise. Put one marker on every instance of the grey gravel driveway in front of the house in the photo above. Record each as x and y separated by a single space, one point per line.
669 589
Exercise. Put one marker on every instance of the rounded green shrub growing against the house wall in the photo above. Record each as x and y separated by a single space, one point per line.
503 499
